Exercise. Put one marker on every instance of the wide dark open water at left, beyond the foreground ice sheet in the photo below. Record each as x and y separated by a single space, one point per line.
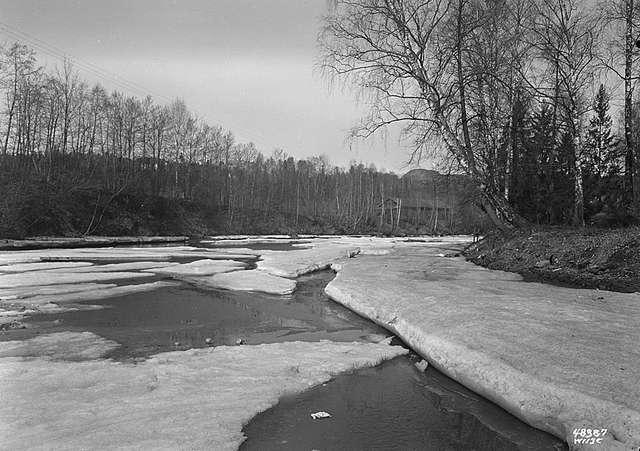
184 317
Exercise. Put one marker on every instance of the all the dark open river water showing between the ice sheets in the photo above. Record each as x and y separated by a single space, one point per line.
392 406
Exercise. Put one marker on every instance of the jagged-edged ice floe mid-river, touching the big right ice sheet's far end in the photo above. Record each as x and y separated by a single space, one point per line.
296 263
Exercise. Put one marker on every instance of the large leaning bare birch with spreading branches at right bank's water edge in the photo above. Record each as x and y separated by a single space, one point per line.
412 58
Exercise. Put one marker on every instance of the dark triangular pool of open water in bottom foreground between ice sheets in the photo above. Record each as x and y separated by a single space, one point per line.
392 406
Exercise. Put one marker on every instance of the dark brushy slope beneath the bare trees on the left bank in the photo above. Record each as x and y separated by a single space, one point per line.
68 212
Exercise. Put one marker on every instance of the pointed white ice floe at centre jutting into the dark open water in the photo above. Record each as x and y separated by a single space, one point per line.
252 280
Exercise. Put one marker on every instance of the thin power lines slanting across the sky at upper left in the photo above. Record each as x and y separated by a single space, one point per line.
56 52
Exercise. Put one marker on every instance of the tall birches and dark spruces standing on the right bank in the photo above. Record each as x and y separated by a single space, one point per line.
512 91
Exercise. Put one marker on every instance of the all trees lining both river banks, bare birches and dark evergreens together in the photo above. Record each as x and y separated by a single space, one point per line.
511 96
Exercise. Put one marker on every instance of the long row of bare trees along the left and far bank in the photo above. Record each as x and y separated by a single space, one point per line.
77 159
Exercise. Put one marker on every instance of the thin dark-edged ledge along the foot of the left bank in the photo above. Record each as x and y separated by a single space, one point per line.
89 241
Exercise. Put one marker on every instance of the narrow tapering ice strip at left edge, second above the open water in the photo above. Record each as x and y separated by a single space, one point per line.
35 278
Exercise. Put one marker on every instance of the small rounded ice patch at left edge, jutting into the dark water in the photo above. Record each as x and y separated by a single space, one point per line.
59 346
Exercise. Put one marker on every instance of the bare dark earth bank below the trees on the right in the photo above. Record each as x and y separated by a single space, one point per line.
606 259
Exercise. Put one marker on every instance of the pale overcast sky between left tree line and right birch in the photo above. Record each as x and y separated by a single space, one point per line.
244 64
